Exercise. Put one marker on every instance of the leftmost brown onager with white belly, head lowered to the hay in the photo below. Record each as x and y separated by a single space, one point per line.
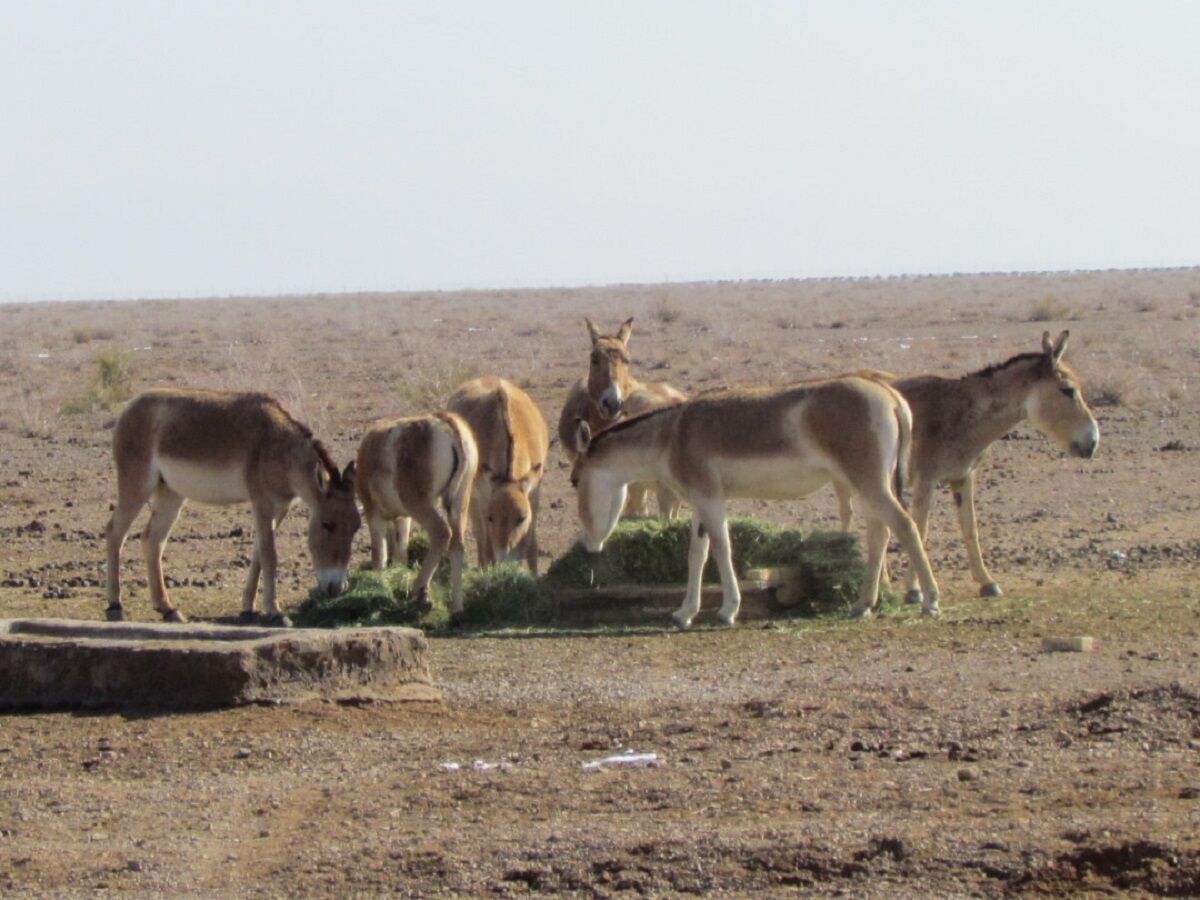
212 447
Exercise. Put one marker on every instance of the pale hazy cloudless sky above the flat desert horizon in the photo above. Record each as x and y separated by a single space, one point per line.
189 149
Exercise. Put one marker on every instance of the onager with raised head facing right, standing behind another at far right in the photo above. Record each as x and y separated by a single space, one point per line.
957 419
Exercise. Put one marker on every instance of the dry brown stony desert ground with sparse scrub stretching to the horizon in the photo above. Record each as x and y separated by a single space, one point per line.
891 758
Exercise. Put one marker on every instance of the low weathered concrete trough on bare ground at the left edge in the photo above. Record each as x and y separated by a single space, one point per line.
59 663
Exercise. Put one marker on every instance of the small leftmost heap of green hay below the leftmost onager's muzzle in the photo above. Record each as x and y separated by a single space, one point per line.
374 599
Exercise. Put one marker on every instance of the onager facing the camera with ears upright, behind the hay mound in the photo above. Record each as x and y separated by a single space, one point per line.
609 393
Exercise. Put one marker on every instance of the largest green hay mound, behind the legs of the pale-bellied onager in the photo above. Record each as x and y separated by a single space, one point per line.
655 551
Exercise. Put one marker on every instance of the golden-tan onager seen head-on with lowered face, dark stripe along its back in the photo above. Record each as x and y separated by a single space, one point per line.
513 440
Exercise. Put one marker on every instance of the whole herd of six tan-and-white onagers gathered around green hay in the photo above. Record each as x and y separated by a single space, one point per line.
866 433
